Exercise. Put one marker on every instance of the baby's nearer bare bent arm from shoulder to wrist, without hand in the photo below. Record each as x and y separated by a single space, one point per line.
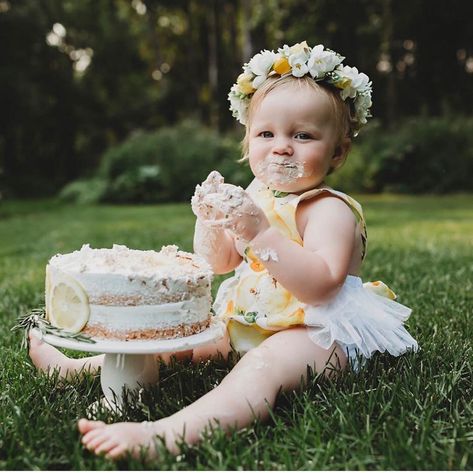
316 271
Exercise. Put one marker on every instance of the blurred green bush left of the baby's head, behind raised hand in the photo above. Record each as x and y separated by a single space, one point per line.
162 166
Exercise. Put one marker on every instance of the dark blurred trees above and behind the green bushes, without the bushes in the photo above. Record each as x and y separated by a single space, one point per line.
155 66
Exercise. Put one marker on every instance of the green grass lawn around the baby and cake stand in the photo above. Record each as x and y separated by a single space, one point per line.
413 412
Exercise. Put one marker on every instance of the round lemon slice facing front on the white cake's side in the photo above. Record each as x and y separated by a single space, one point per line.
68 305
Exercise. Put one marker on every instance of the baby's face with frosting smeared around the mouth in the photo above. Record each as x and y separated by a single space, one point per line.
292 139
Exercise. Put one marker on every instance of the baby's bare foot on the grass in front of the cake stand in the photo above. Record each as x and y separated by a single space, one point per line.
116 440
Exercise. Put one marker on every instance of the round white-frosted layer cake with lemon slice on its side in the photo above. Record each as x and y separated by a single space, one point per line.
126 294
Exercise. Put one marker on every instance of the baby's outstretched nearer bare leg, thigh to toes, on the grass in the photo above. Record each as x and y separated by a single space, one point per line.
246 392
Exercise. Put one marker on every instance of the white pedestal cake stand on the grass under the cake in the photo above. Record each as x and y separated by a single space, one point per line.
132 364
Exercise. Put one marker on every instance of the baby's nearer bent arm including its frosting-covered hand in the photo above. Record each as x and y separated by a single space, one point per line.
313 272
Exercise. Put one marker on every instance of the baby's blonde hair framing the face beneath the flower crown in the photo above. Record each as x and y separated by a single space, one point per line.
343 115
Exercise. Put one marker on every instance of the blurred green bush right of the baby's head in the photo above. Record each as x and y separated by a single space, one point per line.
421 155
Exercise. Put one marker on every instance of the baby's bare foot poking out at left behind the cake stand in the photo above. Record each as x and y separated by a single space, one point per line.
47 358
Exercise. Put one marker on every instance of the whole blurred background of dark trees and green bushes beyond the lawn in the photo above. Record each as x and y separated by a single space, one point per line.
126 100
